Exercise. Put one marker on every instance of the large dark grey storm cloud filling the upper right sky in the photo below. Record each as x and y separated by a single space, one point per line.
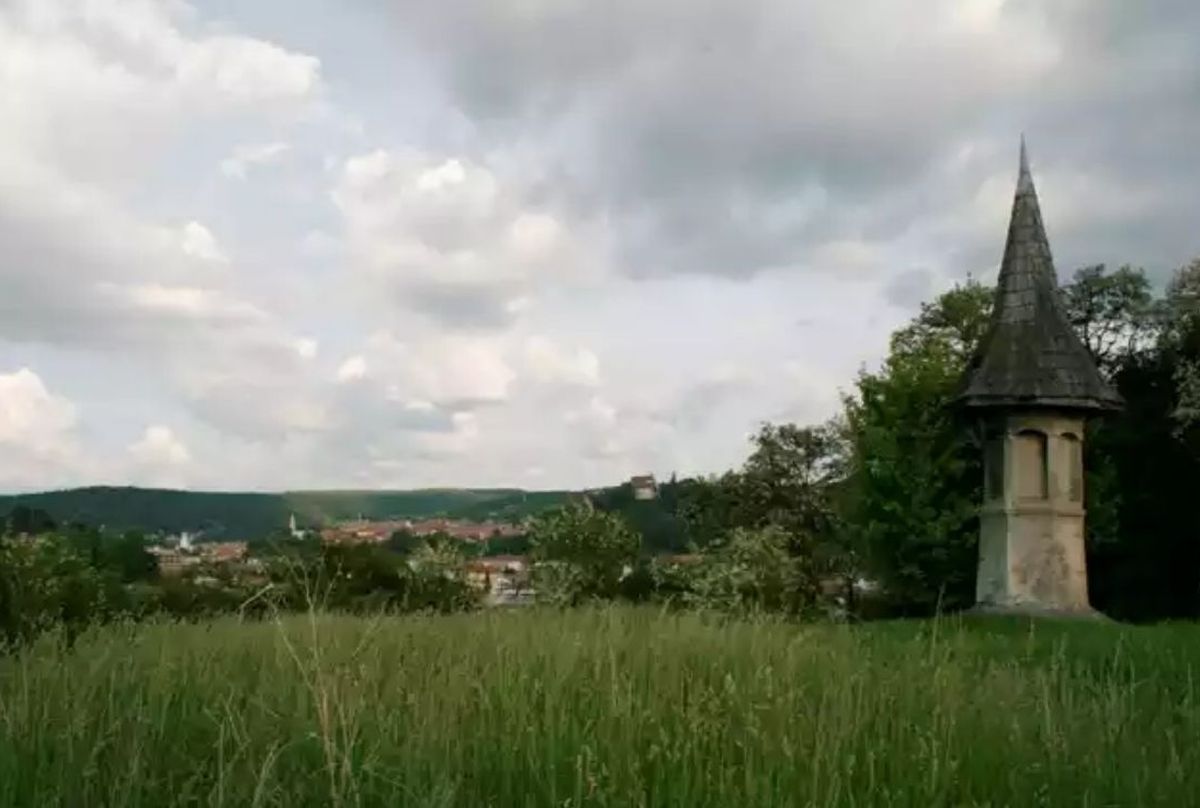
695 128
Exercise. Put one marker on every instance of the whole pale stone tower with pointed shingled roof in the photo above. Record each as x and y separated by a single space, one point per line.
1030 388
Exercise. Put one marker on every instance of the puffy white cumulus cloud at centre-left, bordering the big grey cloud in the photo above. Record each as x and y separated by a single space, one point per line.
449 238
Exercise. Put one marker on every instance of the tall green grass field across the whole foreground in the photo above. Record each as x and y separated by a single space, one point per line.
610 708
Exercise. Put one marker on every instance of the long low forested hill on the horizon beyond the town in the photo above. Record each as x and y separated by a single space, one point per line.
257 516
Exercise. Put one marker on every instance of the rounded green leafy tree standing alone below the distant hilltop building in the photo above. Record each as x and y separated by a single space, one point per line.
581 554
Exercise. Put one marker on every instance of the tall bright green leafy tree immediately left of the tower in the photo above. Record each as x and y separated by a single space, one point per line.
915 474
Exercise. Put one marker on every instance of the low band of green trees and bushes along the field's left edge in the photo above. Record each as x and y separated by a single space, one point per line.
69 578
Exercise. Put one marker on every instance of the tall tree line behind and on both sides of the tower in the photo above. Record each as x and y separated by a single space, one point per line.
889 492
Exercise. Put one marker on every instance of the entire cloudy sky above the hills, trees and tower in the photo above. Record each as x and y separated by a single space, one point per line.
281 244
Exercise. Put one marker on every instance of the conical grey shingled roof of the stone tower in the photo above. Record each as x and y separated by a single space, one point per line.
1031 356
